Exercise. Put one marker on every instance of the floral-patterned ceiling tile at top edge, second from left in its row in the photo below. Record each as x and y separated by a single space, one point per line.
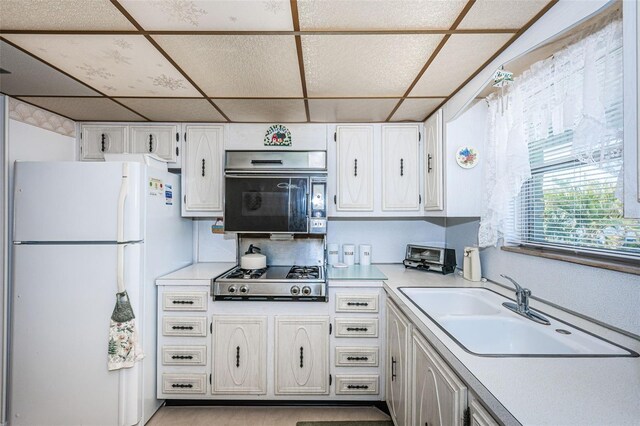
220 15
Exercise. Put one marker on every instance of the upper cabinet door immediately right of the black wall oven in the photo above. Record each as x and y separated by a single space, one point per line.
355 168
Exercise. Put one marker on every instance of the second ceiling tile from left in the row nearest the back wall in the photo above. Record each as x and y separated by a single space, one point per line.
171 109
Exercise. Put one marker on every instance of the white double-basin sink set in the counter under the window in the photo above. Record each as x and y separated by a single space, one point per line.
477 321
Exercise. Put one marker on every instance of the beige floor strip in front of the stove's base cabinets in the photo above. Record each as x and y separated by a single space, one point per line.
259 416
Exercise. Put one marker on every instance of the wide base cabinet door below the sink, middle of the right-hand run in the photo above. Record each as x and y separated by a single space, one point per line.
438 396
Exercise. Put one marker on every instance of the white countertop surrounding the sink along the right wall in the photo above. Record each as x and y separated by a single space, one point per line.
533 391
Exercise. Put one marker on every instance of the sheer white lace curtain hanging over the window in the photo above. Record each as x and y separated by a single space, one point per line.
568 90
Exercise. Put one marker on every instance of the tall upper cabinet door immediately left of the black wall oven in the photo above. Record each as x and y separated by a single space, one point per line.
203 169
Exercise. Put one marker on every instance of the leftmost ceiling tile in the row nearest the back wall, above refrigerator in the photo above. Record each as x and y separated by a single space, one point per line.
85 109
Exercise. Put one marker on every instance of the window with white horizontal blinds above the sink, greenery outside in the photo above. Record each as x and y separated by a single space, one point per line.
573 199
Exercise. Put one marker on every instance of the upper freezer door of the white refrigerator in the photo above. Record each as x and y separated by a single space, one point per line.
76 201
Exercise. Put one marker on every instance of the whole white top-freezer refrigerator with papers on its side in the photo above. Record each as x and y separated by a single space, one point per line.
70 218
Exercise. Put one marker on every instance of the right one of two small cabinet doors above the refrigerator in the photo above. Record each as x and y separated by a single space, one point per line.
158 140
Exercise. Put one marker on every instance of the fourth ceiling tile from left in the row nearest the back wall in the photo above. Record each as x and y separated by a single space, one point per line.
350 110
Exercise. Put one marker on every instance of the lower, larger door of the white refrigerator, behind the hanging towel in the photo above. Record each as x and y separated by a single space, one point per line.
63 297
